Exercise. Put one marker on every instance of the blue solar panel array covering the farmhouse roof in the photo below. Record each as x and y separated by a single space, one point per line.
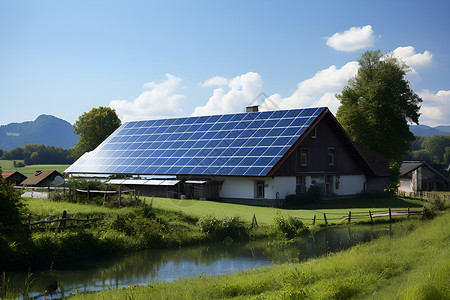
246 144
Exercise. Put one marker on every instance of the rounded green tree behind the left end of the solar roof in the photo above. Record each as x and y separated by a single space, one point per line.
93 128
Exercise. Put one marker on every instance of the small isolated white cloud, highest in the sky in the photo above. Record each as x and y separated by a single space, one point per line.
355 38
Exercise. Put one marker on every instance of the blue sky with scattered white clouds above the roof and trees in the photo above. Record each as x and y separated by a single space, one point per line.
153 59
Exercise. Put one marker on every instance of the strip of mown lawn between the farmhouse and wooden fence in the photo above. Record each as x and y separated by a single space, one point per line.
335 210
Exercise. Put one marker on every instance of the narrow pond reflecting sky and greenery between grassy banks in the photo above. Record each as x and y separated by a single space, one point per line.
171 264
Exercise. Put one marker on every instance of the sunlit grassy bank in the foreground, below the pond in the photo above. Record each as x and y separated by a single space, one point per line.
413 263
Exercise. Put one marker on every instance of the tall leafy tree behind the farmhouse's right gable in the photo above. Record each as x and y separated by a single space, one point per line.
377 105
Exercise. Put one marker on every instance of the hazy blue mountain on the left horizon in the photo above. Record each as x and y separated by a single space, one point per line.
46 129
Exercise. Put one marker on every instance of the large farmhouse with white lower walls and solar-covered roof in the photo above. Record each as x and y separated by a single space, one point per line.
255 156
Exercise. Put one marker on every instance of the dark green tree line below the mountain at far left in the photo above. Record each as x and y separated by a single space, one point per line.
39 154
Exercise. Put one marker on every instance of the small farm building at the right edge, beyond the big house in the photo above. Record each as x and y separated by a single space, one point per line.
416 176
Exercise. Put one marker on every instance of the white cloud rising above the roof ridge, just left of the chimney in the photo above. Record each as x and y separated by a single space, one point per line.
239 92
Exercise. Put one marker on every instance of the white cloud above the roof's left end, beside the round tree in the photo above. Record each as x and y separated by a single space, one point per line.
158 100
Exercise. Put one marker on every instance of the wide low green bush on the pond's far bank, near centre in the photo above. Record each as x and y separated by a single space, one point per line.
229 229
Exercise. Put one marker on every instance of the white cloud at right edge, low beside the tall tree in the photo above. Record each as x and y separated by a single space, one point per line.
435 108
